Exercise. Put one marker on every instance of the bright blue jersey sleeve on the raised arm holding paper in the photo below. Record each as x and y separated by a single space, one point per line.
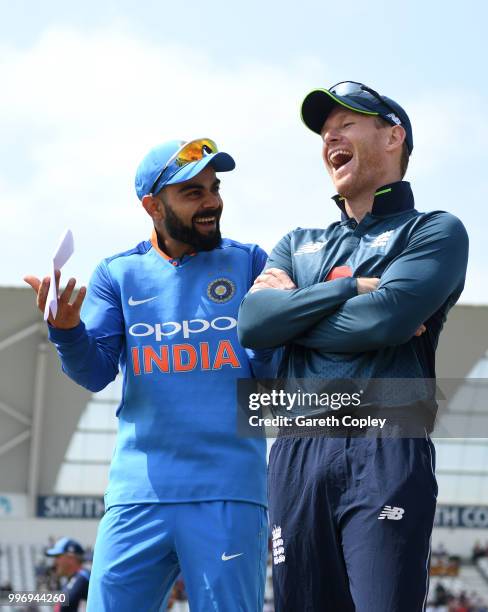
90 352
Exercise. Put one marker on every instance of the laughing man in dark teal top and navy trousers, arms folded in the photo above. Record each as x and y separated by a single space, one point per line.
365 298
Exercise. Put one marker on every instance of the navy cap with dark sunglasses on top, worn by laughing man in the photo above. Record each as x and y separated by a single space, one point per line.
354 96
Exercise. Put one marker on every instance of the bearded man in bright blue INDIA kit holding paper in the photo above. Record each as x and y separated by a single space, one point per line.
185 493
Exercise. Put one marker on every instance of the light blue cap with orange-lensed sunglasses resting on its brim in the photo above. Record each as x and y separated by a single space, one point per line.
177 161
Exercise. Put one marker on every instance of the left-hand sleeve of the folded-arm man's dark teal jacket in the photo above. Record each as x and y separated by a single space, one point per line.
273 317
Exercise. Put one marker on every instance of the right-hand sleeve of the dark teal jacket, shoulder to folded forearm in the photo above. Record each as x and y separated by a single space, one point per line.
427 274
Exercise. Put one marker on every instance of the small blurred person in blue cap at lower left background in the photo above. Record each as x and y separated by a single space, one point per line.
68 562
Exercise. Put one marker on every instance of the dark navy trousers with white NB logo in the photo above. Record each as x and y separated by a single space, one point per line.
351 521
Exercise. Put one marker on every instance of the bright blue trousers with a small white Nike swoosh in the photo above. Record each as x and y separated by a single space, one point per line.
220 547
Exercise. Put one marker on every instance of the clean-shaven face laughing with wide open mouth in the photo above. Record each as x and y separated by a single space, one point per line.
353 152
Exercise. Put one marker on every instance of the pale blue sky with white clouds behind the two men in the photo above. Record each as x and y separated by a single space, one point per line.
89 87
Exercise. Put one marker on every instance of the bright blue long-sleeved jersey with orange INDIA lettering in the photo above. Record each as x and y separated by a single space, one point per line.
170 325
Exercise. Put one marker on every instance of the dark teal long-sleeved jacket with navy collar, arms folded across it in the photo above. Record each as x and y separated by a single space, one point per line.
332 332
